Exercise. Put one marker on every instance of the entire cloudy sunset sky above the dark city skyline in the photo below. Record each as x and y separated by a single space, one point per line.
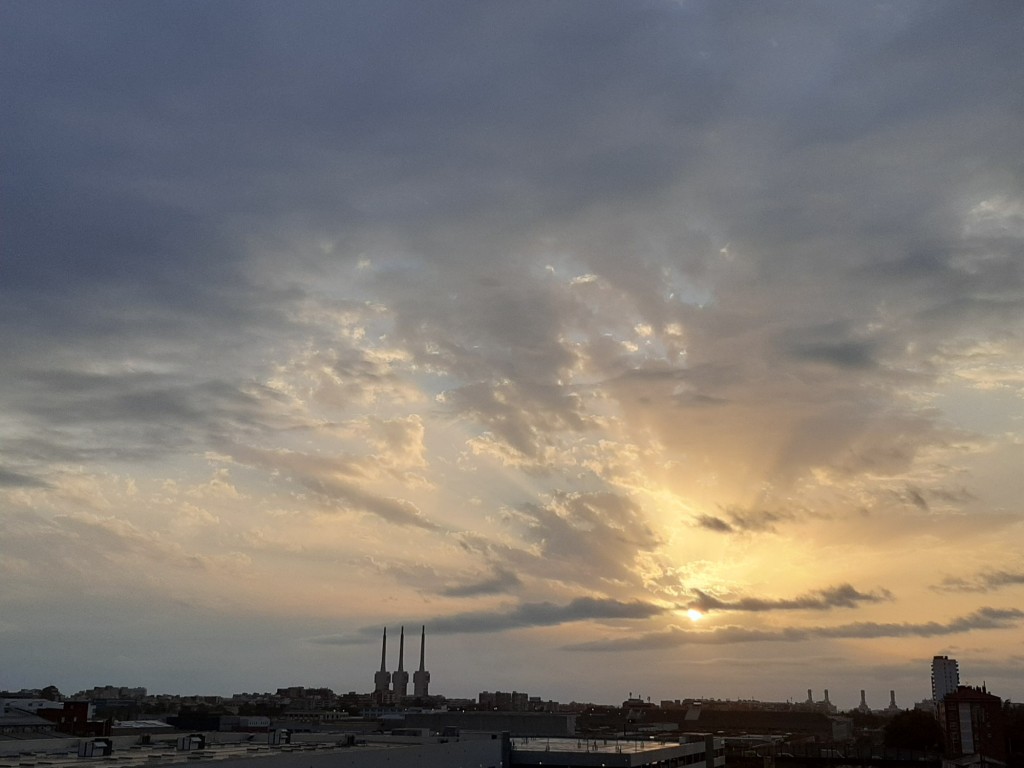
658 349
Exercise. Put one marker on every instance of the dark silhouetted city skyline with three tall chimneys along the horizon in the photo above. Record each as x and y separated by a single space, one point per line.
971 726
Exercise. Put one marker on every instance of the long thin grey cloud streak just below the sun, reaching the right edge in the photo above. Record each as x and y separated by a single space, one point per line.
984 619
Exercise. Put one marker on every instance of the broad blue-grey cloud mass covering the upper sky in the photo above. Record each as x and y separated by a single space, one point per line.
150 173
